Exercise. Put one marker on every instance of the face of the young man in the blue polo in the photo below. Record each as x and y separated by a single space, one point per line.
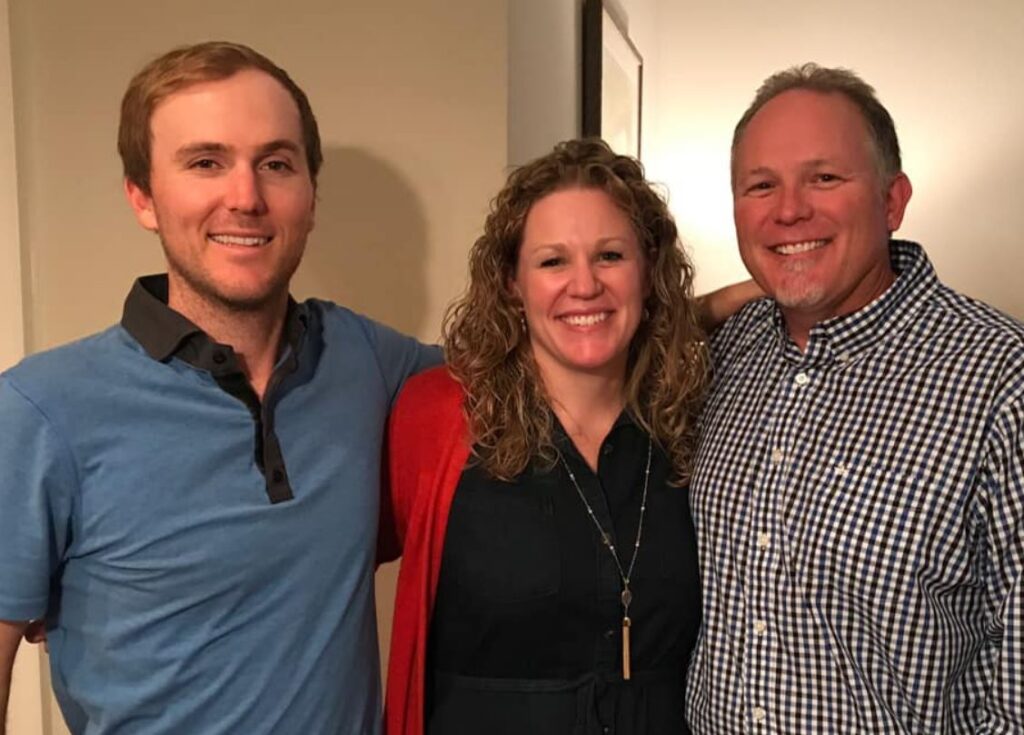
232 197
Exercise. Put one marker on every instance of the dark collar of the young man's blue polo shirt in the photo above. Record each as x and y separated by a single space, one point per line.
164 333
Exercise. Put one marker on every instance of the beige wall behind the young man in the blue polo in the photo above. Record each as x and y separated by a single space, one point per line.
412 101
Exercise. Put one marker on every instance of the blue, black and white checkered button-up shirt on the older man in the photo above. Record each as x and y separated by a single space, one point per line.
861 520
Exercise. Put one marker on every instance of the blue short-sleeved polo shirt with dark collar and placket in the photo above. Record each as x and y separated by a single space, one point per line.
205 560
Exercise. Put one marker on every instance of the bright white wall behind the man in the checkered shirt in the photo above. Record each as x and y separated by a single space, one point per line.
952 74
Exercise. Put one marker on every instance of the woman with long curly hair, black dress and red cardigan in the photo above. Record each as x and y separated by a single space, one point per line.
565 597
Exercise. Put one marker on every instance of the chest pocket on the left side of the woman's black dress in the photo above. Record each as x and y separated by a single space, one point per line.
503 548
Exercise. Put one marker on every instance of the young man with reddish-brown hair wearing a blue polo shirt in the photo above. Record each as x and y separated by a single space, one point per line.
190 498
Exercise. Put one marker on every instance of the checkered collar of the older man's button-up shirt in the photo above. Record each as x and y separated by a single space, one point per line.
843 338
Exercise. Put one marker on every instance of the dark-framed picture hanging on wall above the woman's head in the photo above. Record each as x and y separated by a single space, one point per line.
613 80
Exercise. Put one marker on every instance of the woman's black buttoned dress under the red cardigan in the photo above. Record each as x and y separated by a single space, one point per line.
526 634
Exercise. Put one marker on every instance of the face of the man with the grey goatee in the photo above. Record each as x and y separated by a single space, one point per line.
814 215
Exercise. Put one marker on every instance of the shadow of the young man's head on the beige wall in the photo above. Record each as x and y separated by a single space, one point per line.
369 249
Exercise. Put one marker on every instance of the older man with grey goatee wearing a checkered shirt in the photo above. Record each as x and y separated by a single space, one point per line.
860 493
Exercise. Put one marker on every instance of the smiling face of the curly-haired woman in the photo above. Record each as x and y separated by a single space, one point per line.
582 279
